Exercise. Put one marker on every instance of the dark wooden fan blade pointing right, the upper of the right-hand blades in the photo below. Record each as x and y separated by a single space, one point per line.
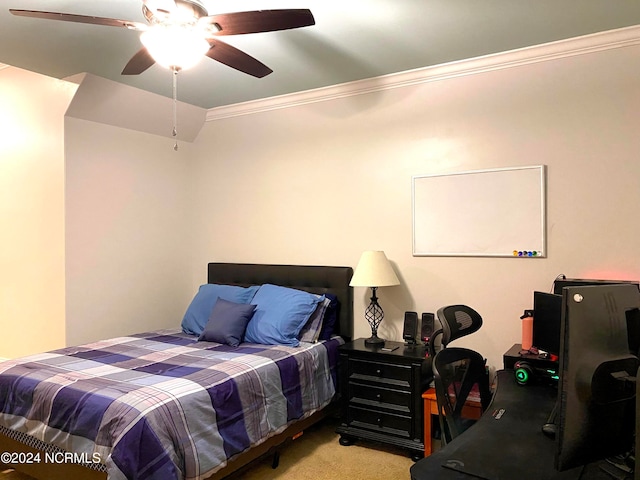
260 21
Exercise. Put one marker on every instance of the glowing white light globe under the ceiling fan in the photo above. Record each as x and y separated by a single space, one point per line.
174 46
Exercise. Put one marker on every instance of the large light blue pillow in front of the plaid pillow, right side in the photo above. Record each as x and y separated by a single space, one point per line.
280 314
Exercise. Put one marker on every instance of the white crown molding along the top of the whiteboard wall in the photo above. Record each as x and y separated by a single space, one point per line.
597 42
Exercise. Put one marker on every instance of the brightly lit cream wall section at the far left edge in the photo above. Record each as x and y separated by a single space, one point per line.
32 278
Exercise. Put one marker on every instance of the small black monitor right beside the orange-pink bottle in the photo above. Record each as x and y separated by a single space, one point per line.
547 312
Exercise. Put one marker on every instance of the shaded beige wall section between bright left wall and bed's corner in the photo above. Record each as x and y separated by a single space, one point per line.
127 237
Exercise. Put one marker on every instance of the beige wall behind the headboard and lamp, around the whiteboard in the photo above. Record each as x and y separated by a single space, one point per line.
320 183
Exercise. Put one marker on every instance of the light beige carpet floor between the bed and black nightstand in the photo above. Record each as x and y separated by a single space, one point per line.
317 455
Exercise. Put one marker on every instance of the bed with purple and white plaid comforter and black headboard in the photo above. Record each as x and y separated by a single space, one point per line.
136 438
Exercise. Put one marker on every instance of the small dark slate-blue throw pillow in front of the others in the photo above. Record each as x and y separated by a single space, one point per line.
227 322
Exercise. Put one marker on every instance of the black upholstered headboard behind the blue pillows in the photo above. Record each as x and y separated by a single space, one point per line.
314 279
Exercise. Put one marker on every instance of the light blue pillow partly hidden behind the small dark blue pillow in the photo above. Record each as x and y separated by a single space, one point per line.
198 312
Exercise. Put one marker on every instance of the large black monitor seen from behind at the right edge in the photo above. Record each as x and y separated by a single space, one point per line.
596 391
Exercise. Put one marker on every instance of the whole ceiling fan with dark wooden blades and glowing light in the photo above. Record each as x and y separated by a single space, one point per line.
179 32
